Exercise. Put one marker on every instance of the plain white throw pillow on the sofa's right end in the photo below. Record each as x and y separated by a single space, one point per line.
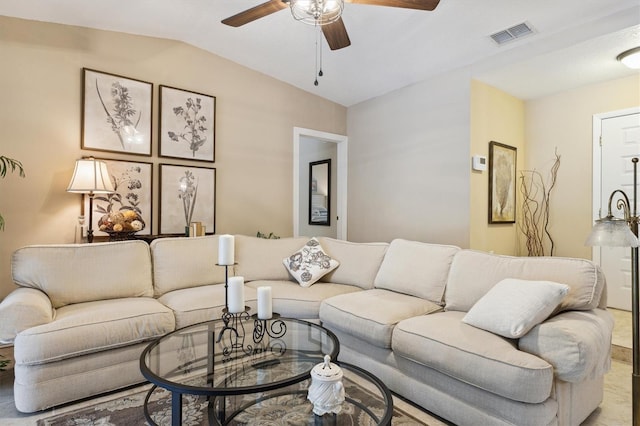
513 307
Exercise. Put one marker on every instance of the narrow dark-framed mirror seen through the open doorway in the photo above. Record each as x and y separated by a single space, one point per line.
320 192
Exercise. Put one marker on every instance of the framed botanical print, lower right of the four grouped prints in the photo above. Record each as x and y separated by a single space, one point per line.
187 194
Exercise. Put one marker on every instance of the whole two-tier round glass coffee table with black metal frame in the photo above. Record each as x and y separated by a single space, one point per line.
243 370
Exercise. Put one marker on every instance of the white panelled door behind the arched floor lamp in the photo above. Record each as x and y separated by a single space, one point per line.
616 139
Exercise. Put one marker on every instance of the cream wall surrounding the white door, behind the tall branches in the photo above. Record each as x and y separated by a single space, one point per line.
564 121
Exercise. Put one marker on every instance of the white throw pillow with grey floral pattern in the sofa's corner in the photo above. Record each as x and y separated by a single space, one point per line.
310 263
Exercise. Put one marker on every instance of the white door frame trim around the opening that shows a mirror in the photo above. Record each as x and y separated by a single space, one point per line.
341 185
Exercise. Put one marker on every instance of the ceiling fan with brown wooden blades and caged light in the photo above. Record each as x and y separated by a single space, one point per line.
326 13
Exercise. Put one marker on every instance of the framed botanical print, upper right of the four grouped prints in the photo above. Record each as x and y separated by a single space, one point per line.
187 124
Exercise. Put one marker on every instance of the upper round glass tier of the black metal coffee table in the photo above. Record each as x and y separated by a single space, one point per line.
236 356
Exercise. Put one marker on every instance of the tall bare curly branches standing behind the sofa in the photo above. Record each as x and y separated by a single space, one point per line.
536 198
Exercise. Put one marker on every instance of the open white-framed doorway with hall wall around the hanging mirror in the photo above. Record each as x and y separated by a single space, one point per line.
302 140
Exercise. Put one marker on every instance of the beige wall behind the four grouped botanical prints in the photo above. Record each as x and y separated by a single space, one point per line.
40 113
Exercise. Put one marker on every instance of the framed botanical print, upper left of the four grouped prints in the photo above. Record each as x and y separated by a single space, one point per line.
116 113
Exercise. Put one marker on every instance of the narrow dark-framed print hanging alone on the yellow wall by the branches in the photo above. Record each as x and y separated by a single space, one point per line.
502 183
